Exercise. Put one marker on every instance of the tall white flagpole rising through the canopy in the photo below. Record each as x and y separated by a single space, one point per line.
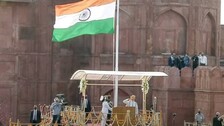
117 54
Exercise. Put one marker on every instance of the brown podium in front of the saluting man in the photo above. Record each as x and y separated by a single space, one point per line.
121 112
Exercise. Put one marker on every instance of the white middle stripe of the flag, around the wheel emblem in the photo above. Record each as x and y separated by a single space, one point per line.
97 13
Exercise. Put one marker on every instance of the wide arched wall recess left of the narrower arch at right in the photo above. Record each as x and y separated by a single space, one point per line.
169 34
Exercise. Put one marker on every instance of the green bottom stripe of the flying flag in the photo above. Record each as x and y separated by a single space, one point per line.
84 28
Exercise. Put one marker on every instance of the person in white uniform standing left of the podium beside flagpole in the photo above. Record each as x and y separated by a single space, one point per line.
105 108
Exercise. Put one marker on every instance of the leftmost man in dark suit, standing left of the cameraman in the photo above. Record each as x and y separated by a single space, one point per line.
35 115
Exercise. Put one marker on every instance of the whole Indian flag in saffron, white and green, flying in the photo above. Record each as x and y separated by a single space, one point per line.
84 17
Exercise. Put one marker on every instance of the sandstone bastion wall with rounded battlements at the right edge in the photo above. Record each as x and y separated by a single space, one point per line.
209 91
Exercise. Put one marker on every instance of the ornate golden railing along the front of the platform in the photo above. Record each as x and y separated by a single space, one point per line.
73 116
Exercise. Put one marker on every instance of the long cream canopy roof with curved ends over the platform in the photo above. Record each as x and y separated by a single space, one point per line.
110 75
